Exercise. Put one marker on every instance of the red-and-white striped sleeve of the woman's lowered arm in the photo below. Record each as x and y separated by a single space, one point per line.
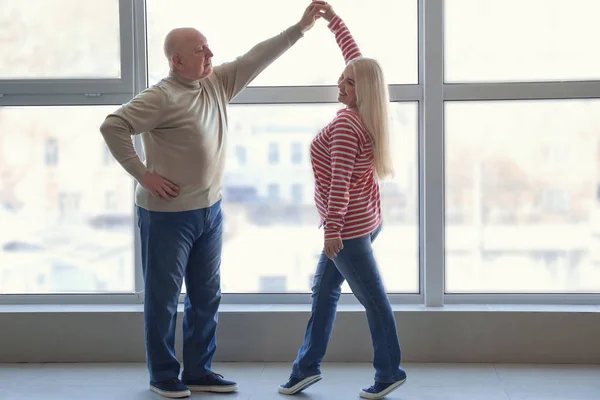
344 149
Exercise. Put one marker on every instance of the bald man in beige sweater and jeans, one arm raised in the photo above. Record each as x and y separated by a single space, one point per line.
183 122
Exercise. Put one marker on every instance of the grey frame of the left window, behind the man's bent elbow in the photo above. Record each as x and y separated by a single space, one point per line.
89 92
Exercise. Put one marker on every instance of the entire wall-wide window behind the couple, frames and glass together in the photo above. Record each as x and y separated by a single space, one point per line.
495 143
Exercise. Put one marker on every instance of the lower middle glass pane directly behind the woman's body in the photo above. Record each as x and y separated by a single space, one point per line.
272 240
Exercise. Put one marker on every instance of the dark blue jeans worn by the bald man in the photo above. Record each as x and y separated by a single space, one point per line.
177 246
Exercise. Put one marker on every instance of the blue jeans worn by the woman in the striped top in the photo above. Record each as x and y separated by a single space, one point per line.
356 264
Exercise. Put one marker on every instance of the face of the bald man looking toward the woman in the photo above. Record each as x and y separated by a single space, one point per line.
195 57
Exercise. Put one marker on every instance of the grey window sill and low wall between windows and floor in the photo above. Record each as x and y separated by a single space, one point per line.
273 332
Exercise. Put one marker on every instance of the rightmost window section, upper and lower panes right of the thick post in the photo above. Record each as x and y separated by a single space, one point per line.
522 167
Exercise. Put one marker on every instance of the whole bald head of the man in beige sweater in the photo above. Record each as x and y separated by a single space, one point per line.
188 53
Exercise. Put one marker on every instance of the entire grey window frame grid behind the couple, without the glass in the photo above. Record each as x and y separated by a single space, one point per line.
431 93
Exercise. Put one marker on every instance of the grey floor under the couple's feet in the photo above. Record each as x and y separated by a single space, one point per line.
340 381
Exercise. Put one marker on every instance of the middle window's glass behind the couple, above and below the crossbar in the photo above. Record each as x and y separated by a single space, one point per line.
272 224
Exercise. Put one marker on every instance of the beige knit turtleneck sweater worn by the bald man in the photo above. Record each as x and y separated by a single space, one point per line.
183 124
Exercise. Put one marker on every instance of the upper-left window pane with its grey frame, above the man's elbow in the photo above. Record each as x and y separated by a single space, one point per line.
67 52
